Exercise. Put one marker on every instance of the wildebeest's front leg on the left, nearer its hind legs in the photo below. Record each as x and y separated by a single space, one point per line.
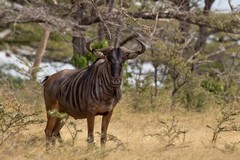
90 124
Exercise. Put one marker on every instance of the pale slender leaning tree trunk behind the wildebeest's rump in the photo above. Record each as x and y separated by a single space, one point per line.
40 51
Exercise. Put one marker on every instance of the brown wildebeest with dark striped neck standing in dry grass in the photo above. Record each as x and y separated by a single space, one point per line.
89 92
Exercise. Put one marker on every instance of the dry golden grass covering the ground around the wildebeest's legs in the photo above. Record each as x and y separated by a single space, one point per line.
127 138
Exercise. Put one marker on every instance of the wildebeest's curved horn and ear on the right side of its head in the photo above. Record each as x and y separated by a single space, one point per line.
133 54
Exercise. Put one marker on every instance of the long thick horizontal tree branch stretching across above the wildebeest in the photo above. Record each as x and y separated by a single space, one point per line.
42 15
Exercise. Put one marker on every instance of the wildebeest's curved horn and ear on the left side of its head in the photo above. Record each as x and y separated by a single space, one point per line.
101 53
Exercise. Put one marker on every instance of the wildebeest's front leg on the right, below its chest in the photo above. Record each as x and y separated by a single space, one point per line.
105 121
